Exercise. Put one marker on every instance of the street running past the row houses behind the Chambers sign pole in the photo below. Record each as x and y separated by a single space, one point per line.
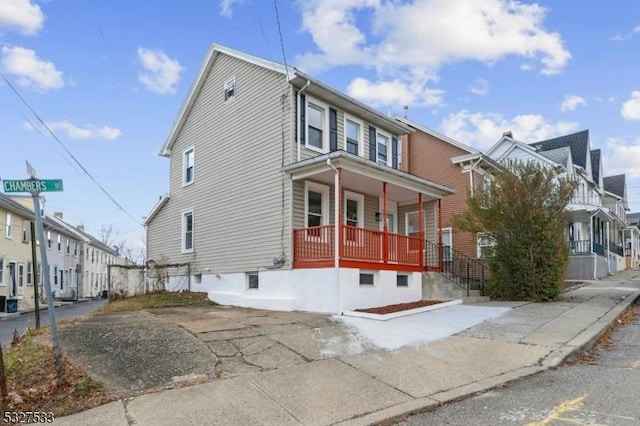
20 322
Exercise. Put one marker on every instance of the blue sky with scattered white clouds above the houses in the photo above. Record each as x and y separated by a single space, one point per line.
90 89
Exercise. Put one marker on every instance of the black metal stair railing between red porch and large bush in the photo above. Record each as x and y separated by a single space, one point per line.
467 272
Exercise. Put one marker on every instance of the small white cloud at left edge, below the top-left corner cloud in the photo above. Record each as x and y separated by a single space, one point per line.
30 70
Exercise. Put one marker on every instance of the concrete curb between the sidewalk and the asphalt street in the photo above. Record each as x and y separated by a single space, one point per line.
572 350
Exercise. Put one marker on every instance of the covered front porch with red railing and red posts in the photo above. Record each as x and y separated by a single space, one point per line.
384 214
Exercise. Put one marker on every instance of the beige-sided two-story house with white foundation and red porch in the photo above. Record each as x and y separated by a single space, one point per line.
287 194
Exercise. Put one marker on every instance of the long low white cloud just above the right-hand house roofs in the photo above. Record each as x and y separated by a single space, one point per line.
482 130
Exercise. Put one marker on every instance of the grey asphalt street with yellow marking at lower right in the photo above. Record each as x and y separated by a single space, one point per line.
599 391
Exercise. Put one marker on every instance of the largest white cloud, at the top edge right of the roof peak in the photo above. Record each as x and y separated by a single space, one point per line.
409 40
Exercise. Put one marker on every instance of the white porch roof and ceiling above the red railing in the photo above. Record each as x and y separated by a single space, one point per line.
365 176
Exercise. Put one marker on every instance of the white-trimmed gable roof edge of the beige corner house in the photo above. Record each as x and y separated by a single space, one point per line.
291 75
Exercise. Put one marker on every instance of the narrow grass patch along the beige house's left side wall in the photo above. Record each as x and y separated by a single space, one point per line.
160 299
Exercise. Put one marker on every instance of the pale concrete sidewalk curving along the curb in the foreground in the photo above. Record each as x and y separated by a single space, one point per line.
375 386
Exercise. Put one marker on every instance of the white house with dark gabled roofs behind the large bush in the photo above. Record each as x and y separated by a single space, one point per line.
588 227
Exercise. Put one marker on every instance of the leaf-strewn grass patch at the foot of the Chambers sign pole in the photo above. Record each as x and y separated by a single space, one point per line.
33 385
